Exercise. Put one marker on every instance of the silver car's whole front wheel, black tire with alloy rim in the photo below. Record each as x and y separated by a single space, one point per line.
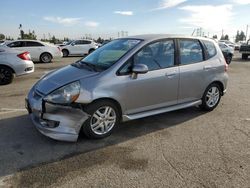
91 128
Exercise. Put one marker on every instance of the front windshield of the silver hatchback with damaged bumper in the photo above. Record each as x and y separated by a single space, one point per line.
107 55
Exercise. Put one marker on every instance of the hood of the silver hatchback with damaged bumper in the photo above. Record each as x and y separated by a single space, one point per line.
61 77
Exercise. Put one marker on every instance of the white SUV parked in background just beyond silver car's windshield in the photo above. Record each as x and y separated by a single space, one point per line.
78 47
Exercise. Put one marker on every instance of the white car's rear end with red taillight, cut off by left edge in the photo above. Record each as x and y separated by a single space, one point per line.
13 63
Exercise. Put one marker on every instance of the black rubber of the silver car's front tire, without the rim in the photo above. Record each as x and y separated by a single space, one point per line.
90 110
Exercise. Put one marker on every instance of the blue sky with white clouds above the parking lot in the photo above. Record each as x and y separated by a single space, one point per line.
80 18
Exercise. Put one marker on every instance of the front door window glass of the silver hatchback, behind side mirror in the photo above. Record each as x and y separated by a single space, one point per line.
157 55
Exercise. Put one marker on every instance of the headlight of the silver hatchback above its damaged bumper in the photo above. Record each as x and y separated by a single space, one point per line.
65 95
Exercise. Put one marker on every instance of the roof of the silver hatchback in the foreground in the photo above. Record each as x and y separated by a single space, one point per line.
149 37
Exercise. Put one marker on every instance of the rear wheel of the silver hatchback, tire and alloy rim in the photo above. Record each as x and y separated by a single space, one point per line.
211 97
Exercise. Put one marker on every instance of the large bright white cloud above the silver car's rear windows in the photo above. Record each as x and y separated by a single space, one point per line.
208 16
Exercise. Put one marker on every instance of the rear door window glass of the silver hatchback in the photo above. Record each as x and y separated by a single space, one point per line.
190 51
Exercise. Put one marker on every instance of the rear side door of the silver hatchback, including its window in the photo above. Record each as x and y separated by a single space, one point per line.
193 70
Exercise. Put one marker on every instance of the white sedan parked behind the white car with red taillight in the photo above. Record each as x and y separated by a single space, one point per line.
39 51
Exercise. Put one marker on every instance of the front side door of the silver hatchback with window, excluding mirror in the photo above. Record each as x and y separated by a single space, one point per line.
158 87
